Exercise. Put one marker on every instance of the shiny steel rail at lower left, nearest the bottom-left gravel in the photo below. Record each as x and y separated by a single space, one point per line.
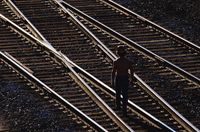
15 63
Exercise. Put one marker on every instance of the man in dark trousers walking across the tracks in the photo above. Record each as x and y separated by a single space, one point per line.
120 78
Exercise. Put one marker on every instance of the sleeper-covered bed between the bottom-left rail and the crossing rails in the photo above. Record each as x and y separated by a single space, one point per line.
53 75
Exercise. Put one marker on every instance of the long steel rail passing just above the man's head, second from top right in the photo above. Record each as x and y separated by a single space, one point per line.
135 46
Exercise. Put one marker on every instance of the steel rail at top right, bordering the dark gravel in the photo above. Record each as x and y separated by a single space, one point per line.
131 13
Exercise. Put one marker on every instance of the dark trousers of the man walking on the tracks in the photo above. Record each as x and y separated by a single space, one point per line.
121 87
